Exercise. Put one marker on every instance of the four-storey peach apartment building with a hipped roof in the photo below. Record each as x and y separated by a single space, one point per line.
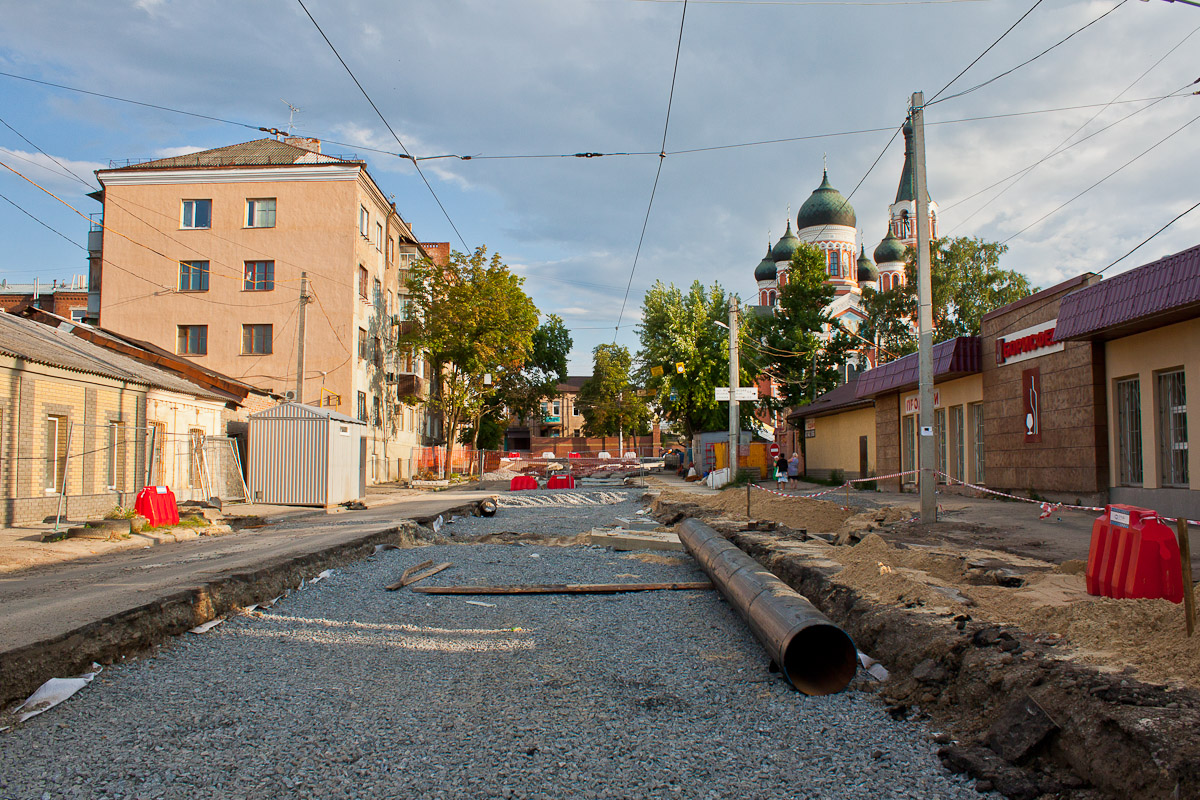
212 256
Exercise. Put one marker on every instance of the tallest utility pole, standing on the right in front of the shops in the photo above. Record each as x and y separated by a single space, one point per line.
927 458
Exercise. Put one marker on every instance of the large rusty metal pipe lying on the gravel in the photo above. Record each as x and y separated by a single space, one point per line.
815 655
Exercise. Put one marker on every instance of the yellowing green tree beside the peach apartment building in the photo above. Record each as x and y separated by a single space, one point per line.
475 321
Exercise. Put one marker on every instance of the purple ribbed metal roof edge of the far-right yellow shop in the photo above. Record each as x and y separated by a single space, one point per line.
1157 294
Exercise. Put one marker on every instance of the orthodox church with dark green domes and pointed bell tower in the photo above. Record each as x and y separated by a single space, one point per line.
829 222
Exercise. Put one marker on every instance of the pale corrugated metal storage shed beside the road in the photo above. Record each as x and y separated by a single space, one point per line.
303 455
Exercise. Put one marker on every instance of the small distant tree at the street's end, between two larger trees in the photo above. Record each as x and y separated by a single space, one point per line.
609 402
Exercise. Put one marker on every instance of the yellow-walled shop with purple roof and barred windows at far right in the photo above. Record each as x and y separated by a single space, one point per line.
1145 327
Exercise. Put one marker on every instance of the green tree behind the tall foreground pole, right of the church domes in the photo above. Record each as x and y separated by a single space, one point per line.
967 282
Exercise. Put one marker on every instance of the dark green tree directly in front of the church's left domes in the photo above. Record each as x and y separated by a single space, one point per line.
793 345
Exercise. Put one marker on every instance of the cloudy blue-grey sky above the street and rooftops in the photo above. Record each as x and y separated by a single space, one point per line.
543 79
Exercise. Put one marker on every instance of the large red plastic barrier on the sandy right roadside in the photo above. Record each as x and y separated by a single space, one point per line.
1133 556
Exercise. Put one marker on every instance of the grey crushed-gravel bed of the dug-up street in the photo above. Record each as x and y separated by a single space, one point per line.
345 690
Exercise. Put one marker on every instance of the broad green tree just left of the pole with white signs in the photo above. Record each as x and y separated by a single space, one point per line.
679 328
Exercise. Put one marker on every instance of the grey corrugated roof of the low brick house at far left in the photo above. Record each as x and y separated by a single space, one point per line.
25 339
